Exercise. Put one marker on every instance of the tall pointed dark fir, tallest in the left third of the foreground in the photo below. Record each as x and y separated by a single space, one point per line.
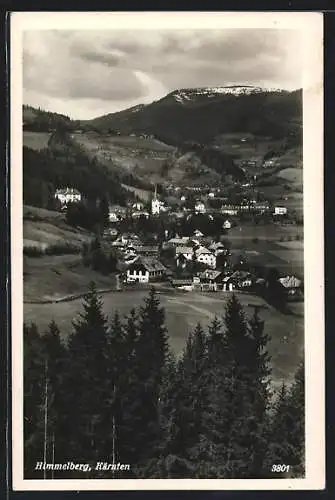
87 379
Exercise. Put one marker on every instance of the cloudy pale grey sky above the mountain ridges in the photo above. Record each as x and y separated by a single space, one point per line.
88 73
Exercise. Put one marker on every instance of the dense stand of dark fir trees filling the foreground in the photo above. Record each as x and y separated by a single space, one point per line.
115 392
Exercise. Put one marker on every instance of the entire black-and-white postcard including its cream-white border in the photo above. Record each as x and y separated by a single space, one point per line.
167 250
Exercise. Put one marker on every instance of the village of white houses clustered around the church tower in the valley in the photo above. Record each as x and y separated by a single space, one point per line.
186 245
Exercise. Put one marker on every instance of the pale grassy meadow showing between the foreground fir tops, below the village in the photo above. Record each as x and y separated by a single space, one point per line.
183 312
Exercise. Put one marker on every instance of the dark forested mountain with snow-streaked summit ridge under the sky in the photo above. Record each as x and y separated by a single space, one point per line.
201 114
